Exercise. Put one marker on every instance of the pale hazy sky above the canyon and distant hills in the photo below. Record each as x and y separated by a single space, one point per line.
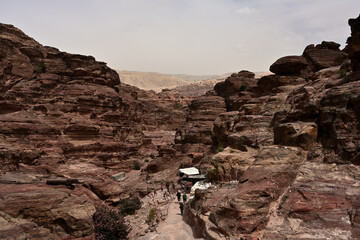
183 36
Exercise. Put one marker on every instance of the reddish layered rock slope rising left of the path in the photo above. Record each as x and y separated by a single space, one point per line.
68 116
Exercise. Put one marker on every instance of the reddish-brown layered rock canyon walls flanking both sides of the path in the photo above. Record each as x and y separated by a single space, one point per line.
282 151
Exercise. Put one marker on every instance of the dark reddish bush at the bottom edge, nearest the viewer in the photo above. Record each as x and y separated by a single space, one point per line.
109 224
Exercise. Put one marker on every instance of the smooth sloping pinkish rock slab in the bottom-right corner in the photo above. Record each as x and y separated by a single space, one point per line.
325 208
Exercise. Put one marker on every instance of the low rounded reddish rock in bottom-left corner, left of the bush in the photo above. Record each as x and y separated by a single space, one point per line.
59 210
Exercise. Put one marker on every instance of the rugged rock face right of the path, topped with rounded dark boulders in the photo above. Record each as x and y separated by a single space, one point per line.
293 146
